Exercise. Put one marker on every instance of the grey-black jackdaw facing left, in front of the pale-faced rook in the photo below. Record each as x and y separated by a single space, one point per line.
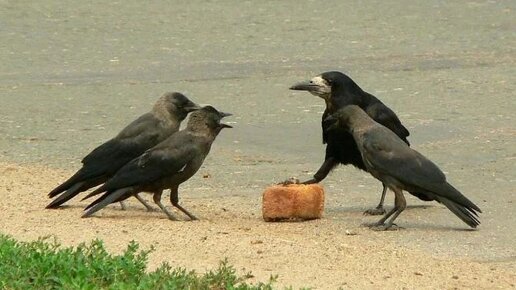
390 160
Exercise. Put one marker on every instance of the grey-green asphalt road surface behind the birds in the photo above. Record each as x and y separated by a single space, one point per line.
73 74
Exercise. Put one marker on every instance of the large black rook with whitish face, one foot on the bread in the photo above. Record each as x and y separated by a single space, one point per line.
338 90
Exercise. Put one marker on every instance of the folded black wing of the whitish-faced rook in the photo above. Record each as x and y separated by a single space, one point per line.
385 116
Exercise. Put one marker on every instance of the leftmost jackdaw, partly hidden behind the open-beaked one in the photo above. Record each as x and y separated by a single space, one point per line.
143 133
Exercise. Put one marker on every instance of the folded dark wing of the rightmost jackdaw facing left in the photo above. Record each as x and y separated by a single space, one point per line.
389 155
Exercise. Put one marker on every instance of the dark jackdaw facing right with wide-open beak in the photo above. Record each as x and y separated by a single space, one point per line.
166 165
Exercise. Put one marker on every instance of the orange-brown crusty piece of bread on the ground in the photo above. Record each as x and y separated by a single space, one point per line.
293 202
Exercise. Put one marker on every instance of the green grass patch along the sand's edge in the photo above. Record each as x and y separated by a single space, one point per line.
44 264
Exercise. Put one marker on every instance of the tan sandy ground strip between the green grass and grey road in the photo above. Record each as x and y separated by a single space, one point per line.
325 254
